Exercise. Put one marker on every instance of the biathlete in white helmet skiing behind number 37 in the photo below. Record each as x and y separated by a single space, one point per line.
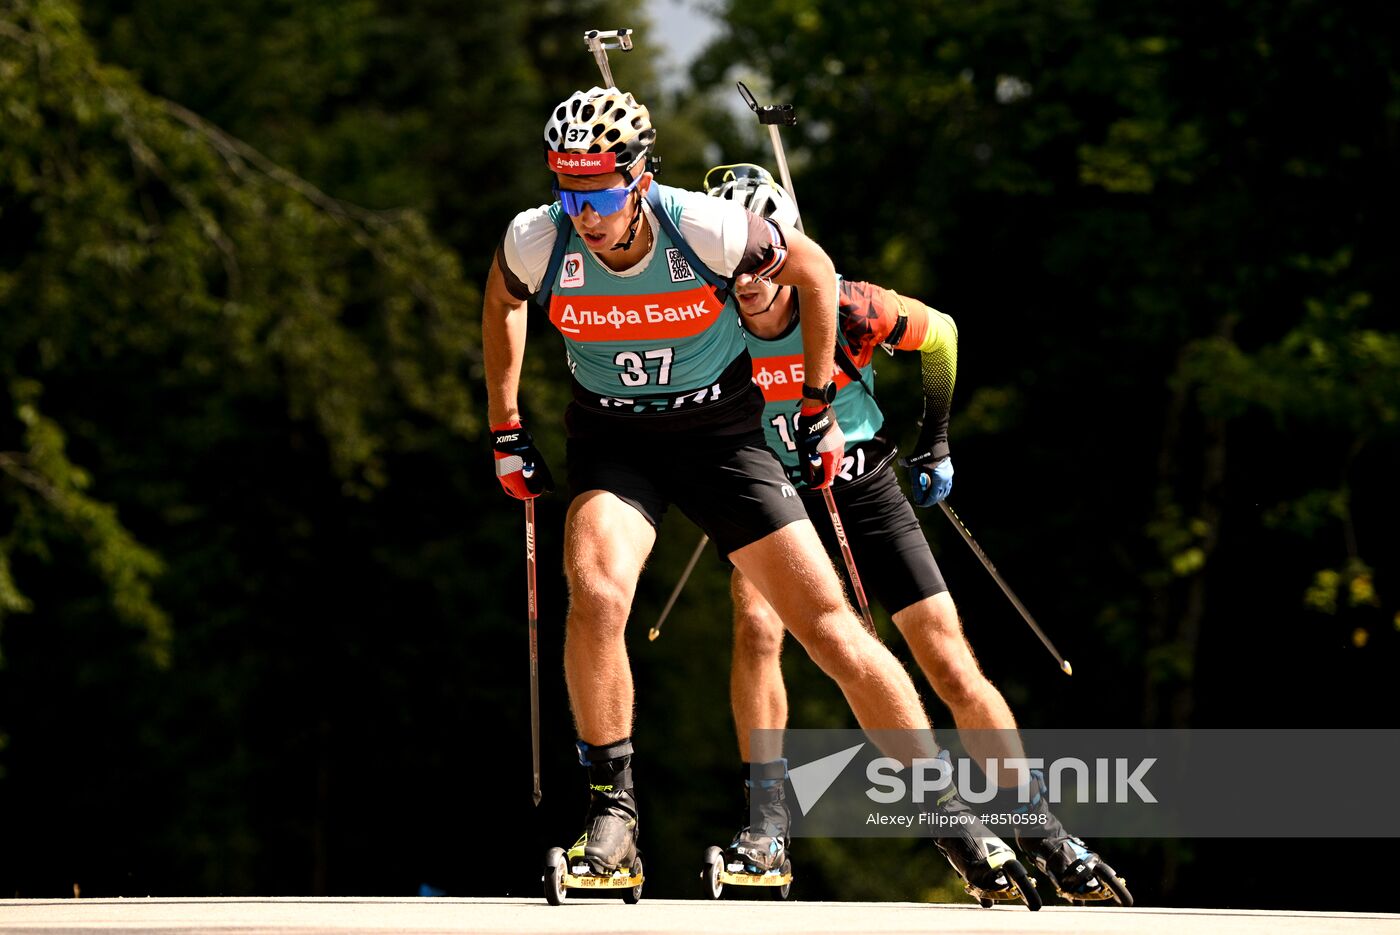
892 558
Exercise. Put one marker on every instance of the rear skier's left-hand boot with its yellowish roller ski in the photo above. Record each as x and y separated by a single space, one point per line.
758 856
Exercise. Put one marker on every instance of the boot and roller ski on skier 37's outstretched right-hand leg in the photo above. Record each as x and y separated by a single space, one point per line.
989 869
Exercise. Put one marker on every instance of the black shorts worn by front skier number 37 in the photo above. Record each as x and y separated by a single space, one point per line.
731 486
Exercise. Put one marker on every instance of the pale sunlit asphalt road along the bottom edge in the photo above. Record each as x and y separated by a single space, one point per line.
590 915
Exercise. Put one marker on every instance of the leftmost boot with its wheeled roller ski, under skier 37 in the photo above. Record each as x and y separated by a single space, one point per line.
605 856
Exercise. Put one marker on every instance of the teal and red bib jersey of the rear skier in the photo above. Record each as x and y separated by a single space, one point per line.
778 370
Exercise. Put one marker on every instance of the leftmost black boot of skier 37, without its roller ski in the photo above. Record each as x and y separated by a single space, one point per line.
610 842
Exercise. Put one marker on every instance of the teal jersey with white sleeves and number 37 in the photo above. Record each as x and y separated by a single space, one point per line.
652 339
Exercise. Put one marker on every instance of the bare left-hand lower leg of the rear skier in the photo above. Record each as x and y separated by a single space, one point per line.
757 688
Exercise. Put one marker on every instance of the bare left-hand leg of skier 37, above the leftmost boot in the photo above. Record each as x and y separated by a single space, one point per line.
607 542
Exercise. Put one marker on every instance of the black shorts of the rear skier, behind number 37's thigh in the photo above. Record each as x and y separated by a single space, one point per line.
892 556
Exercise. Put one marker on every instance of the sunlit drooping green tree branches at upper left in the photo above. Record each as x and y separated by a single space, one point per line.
149 239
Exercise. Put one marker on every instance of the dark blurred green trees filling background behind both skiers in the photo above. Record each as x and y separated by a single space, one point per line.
262 625
